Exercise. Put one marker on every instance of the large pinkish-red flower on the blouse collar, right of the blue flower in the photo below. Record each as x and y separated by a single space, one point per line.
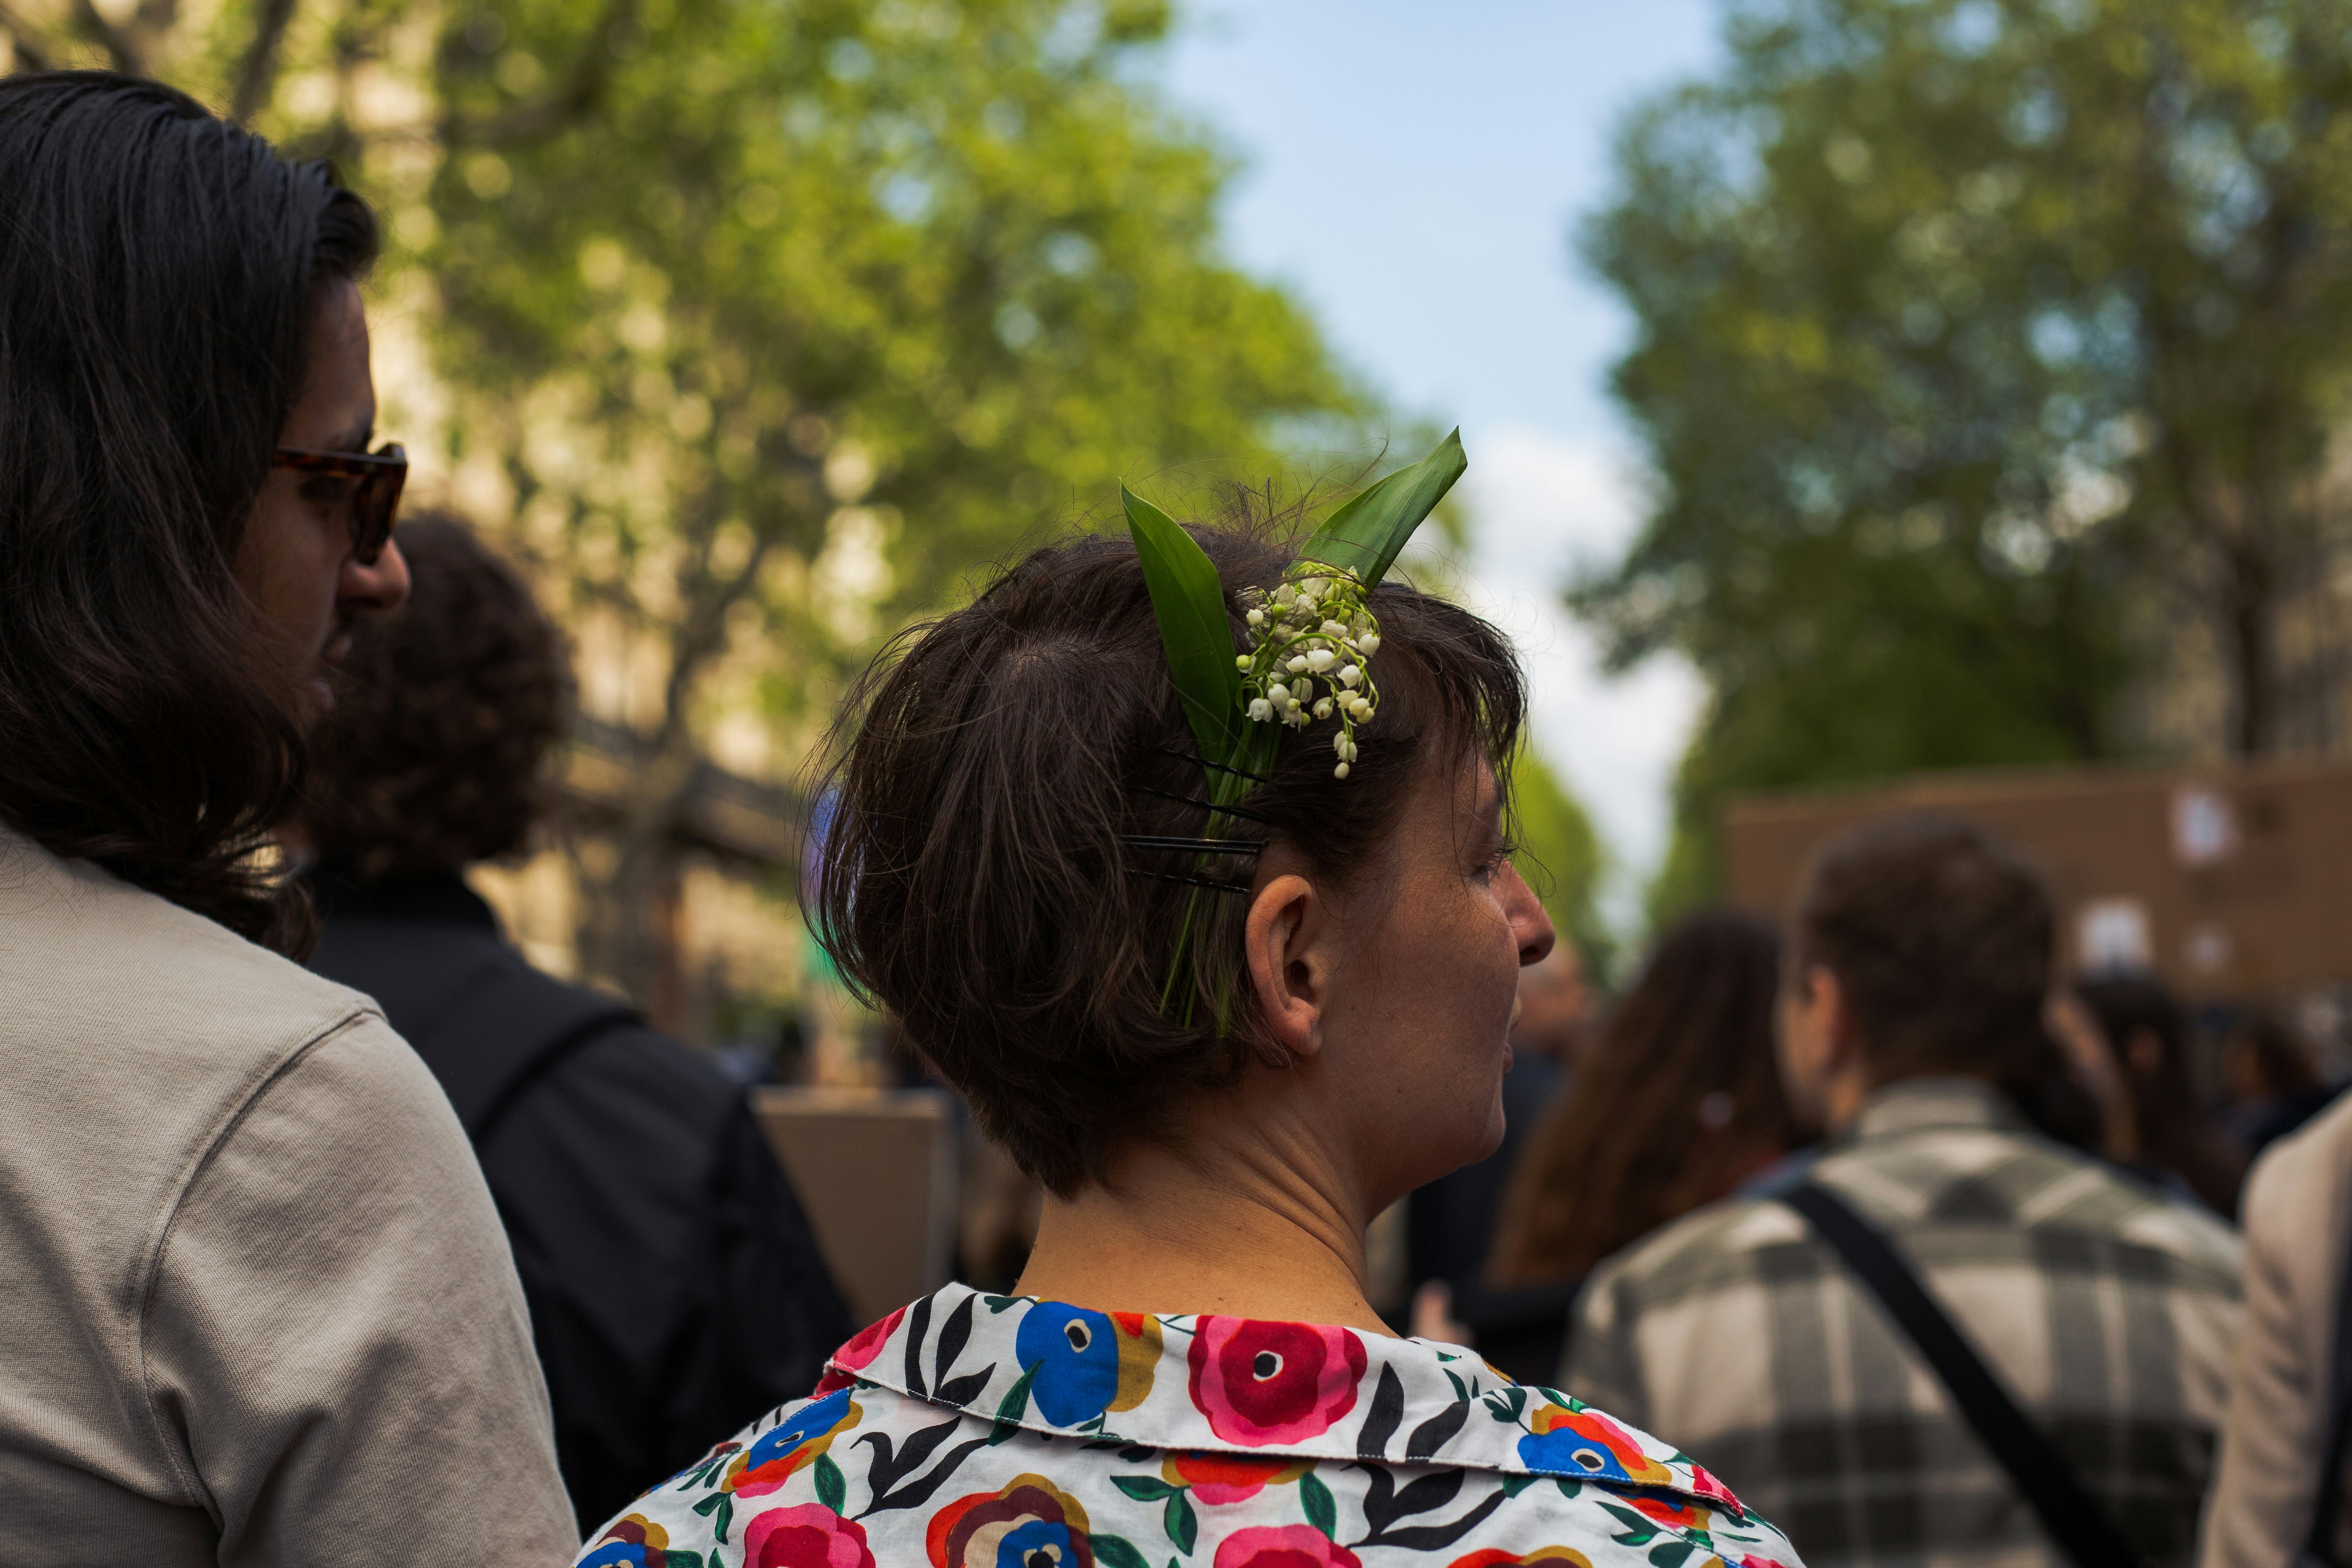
1274 1383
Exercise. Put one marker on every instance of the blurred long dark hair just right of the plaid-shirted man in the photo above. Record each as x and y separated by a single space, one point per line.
2163 1130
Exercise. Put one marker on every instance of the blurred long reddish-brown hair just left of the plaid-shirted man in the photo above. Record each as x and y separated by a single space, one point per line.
1673 1106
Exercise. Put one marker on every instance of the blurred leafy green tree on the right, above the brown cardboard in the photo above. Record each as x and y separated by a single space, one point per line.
1989 351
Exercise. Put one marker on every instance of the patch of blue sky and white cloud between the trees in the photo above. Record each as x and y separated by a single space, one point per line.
1415 175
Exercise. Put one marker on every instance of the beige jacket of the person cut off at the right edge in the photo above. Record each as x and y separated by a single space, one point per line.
2299 1214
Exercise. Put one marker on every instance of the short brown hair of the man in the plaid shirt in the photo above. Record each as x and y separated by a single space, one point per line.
1942 942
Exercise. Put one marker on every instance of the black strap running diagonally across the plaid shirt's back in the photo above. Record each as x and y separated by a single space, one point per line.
2069 1515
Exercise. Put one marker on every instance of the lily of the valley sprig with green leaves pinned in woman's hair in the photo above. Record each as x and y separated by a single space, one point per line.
1311 643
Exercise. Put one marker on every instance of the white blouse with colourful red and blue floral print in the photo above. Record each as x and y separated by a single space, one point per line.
1005 1433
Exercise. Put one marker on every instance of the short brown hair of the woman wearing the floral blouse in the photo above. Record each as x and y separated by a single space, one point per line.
973 876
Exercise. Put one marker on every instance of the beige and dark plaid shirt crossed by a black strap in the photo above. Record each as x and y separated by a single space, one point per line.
2106 1308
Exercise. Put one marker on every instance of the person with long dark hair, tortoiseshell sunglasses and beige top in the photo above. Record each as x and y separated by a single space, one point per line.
258 1296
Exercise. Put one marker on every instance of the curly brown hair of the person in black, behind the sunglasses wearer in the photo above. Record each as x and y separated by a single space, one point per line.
448 709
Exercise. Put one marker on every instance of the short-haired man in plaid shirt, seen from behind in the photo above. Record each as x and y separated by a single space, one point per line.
1911 1026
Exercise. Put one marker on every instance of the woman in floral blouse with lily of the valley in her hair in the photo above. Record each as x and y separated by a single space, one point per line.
1224 1014
